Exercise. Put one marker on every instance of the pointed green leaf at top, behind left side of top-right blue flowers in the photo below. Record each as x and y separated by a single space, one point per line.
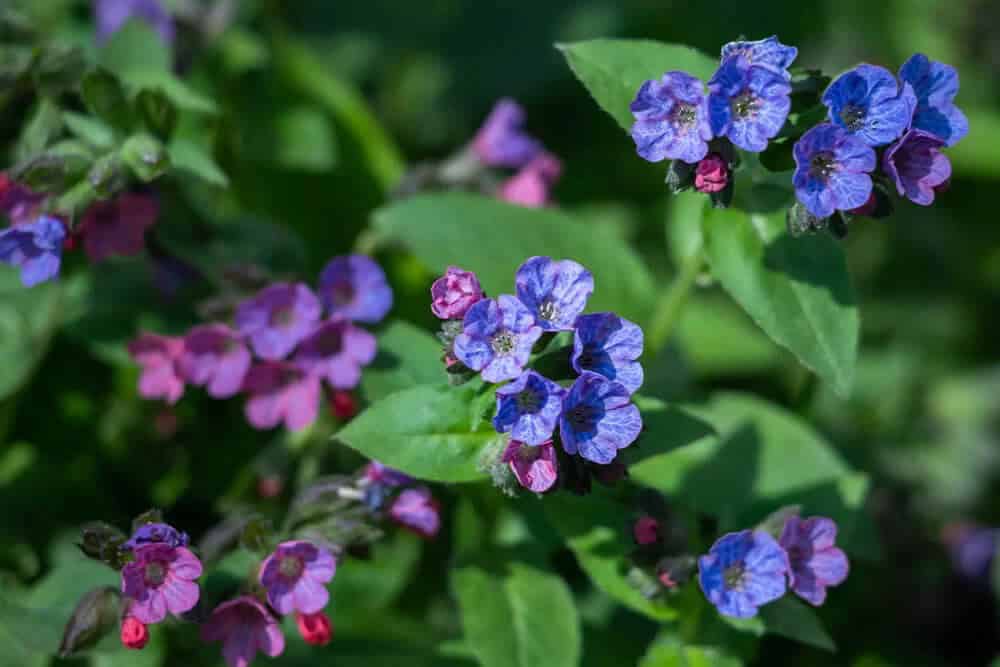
614 69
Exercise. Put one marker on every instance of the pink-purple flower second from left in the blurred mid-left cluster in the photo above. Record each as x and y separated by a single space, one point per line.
215 357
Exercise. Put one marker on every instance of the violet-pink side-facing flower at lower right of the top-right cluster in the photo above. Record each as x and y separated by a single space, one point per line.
917 166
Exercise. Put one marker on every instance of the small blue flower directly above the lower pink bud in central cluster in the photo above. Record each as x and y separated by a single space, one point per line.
529 408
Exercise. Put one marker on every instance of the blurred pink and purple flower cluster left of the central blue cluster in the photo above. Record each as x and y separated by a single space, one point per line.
287 341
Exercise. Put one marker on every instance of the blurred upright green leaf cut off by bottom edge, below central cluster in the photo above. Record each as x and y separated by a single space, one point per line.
523 619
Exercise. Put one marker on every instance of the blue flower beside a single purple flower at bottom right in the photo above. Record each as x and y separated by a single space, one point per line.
743 571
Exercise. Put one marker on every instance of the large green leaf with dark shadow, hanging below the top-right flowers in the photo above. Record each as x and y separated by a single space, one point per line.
797 290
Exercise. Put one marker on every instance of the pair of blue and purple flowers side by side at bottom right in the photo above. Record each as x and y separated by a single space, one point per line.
745 570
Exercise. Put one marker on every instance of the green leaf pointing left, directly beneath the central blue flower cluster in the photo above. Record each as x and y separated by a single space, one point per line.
432 432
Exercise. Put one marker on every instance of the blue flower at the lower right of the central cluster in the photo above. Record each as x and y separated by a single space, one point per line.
598 418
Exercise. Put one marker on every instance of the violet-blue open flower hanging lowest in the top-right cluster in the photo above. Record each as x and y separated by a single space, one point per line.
832 170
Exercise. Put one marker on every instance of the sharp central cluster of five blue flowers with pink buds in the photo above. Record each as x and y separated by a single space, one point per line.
593 417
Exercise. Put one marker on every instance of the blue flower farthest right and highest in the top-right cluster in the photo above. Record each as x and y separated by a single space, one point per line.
935 86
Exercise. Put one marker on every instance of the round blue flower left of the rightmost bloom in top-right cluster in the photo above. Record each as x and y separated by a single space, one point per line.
867 102
